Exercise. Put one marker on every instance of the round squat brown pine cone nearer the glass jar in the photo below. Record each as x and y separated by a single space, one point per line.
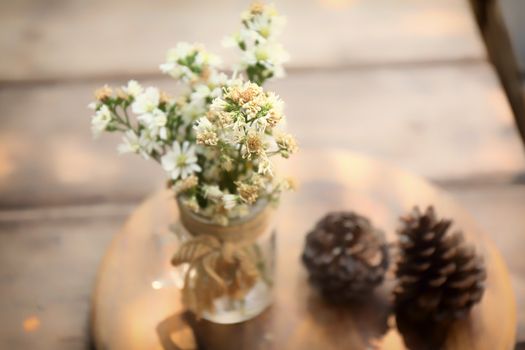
346 256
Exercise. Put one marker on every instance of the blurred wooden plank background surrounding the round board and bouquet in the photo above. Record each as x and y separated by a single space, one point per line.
433 86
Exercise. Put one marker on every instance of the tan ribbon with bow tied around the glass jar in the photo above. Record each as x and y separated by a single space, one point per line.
222 260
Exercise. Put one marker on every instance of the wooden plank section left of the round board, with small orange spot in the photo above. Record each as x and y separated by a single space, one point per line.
47 273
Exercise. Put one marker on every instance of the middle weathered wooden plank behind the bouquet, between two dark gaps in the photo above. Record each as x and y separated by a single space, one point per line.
411 117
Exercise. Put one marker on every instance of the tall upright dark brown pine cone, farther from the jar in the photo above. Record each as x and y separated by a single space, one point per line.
439 276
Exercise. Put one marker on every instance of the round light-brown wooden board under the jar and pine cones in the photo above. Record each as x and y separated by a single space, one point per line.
134 306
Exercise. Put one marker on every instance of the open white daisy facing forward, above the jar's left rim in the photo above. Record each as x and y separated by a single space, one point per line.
180 162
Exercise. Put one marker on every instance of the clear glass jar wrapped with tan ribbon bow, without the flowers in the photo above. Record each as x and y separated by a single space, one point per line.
226 273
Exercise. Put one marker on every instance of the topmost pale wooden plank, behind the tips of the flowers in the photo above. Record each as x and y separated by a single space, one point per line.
60 39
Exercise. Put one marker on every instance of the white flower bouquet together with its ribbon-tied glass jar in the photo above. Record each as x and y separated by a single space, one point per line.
216 143
